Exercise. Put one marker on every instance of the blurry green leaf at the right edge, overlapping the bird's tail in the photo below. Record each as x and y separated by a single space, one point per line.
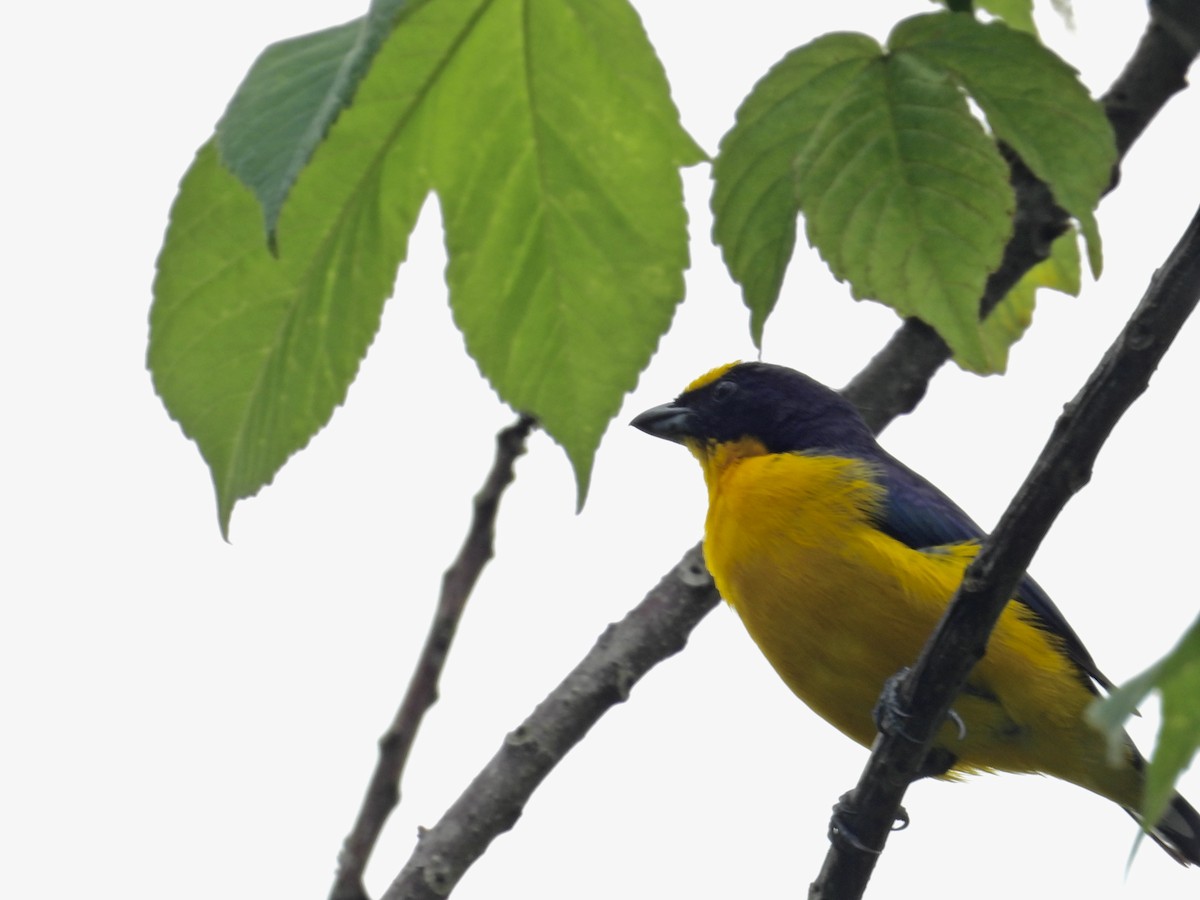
1178 680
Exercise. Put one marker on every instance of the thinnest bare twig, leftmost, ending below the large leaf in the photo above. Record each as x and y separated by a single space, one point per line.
383 791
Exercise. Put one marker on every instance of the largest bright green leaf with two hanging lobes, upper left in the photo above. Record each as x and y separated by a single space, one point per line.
549 134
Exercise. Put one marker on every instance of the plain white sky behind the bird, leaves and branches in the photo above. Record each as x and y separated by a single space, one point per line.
191 719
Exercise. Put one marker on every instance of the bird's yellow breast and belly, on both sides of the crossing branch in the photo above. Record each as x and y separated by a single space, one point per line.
838 608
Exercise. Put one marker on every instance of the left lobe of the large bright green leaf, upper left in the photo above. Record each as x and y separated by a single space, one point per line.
250 353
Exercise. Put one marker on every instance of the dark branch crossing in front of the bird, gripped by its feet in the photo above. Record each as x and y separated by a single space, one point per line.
959 643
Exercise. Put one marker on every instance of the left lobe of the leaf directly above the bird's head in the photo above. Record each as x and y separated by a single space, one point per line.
754 196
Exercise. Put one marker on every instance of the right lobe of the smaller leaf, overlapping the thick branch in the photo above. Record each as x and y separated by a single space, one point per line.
1034 101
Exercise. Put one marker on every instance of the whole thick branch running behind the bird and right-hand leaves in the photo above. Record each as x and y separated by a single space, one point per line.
891 385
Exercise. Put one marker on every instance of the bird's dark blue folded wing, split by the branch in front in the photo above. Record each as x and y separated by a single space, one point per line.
920 515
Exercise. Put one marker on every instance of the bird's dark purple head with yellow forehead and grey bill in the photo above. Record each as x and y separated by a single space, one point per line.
753 409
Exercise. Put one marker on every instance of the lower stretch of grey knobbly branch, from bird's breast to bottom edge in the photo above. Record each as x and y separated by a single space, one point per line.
656 629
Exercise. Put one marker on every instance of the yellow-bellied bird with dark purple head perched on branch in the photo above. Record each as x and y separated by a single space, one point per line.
841 561
